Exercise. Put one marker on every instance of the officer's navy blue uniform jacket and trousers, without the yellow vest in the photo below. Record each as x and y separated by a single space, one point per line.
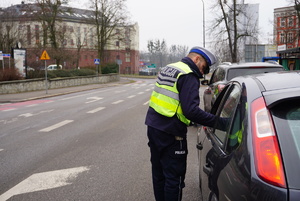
167 137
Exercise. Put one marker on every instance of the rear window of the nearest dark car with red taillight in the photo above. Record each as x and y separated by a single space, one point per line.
286 118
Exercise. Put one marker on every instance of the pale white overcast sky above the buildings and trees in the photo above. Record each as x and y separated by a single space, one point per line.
180 22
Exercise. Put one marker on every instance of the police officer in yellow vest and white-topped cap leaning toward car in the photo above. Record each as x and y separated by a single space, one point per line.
174 103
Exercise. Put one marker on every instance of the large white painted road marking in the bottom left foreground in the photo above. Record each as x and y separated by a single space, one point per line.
44 181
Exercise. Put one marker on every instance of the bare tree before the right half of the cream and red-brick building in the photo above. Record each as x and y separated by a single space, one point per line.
108 16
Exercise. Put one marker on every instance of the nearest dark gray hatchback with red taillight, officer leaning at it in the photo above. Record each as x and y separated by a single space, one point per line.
256 156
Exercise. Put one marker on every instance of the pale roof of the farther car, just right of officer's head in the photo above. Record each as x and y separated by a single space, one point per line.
228 65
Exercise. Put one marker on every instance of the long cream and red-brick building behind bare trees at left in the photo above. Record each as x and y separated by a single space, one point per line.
76 38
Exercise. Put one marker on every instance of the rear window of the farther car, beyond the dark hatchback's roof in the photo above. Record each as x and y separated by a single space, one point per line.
235 72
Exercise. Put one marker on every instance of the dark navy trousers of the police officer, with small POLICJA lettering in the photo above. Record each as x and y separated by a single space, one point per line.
168 158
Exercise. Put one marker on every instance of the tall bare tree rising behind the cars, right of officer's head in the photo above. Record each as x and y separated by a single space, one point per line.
231 25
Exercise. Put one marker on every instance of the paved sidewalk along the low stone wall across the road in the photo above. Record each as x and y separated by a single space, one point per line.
26 96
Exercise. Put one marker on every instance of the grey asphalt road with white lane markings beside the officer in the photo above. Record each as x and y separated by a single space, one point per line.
90 145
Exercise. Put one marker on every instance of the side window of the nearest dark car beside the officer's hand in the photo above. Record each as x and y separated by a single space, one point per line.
227 115
